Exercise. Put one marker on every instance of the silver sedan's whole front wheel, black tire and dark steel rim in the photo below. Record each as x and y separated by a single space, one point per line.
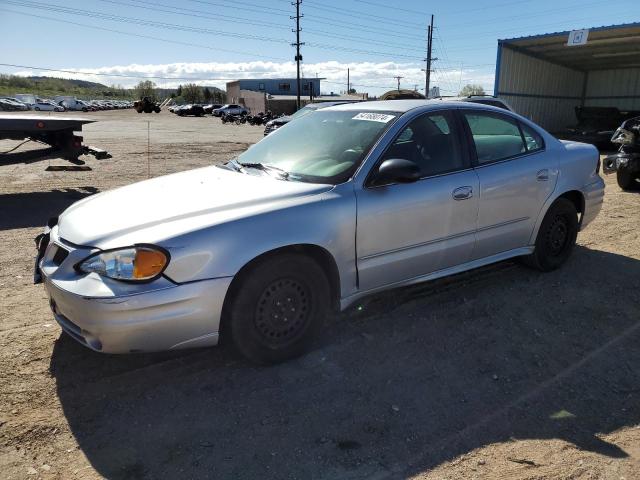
278 308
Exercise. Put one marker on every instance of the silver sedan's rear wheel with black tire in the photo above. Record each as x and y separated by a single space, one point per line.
556 237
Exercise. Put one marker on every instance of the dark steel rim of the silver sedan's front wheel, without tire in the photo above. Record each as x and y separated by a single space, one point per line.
283 311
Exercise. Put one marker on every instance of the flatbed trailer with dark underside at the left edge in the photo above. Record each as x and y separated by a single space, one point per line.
59 132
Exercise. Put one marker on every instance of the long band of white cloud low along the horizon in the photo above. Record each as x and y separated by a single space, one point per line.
371 77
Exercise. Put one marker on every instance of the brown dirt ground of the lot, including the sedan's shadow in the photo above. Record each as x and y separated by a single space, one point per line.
498 373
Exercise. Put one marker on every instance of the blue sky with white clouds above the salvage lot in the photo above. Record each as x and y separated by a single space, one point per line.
210 42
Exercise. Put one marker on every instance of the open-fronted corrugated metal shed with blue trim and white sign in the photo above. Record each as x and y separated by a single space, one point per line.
544 77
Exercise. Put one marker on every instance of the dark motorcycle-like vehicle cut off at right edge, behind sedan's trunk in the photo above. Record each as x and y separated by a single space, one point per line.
626 163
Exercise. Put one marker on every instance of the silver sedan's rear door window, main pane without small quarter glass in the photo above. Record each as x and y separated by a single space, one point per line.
495 137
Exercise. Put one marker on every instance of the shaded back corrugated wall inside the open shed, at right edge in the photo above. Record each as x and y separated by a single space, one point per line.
614 83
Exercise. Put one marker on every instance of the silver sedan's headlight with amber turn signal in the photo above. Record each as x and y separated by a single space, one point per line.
138 263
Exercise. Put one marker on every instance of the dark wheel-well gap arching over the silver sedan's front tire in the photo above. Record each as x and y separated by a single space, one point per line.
320 255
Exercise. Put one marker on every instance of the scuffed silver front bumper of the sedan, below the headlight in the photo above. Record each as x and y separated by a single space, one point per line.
116 317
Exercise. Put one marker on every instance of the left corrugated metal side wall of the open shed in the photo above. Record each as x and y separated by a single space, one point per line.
544 92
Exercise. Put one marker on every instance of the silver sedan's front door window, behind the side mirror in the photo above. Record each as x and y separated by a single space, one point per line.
430 141
